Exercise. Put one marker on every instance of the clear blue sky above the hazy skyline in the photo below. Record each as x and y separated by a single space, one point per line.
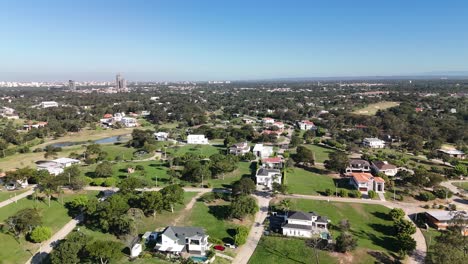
229 39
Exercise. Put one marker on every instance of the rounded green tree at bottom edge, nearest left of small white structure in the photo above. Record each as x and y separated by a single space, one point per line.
104 250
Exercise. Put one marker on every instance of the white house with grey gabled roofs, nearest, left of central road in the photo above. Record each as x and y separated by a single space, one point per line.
177 239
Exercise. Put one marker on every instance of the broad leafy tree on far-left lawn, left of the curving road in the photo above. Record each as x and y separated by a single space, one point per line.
24 221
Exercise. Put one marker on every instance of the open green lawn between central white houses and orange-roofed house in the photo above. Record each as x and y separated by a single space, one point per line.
301 181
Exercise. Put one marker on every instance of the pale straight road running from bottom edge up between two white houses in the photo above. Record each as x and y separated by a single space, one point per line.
246 251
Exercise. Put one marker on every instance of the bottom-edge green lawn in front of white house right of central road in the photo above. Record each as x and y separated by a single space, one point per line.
286 250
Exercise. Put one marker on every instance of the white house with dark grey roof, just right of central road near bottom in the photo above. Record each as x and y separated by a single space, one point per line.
302 224
